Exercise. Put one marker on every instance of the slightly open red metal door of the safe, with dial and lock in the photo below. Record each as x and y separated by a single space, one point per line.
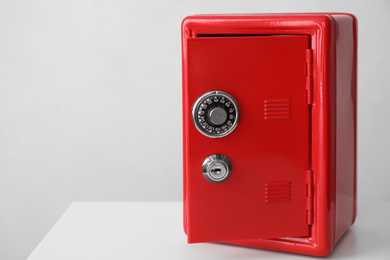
246 137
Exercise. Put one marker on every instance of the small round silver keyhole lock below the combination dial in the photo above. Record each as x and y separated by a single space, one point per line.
216 168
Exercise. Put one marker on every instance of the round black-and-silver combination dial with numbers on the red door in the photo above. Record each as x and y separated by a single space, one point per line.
215 114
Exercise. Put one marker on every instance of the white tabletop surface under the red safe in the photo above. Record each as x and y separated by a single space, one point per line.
153 230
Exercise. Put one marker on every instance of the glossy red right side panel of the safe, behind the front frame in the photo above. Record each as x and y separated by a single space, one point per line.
345 124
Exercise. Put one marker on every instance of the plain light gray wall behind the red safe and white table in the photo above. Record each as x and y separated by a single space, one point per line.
90 103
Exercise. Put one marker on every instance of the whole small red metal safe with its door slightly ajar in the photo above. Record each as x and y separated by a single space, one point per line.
269 128
